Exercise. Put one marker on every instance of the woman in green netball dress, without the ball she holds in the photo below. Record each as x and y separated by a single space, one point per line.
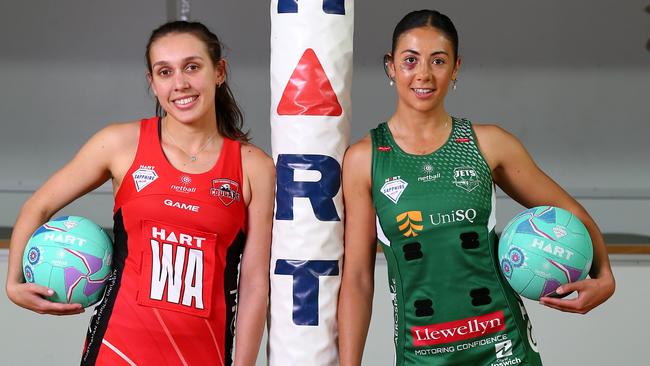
422 184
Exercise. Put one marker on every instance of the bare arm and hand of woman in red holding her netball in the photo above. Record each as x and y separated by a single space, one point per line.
106 153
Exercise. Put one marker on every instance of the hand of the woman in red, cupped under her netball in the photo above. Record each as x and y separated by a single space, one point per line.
33 297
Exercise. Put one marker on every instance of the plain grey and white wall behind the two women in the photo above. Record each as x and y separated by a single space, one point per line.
570 79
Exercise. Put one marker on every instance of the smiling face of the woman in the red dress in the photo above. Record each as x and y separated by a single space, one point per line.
183 77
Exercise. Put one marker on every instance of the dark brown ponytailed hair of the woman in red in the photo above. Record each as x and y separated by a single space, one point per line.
230 119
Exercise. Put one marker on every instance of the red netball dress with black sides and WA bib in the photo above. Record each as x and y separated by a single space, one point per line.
172 297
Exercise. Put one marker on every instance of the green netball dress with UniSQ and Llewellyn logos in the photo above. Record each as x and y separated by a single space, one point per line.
435 223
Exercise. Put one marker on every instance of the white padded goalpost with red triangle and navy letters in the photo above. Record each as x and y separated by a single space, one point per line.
311 76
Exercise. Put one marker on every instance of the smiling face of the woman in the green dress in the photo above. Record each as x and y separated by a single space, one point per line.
422 67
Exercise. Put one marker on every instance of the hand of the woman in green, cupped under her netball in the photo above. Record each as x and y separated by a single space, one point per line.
591 293
